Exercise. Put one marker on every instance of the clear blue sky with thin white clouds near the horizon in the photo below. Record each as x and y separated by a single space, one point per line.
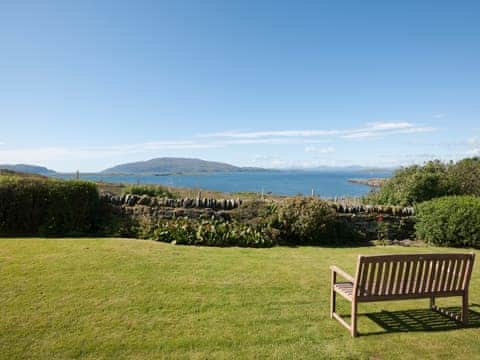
279 84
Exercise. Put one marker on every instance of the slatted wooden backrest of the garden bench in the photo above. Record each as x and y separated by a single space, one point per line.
408 276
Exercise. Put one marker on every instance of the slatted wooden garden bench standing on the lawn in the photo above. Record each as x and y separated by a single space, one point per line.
399 277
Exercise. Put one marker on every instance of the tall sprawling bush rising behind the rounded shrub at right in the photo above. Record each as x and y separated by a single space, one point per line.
414 184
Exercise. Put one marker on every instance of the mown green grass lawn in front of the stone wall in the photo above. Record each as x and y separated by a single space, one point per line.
112 298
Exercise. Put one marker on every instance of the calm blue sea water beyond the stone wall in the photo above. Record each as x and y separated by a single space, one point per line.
324 183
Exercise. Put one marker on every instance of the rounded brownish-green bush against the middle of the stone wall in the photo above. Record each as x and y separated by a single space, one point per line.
304 220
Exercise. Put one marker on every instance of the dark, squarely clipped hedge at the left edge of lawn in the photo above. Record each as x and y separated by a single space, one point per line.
47 207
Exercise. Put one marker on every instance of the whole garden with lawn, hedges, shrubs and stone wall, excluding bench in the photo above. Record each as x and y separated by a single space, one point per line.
81 276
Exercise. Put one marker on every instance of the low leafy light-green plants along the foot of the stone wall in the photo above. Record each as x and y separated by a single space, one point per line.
208 233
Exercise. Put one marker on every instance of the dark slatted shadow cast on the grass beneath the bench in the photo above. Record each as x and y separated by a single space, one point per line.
420 320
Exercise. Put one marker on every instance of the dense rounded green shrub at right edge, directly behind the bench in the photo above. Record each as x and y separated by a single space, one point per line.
450 221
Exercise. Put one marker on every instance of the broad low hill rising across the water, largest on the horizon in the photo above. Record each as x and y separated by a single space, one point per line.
175 166
